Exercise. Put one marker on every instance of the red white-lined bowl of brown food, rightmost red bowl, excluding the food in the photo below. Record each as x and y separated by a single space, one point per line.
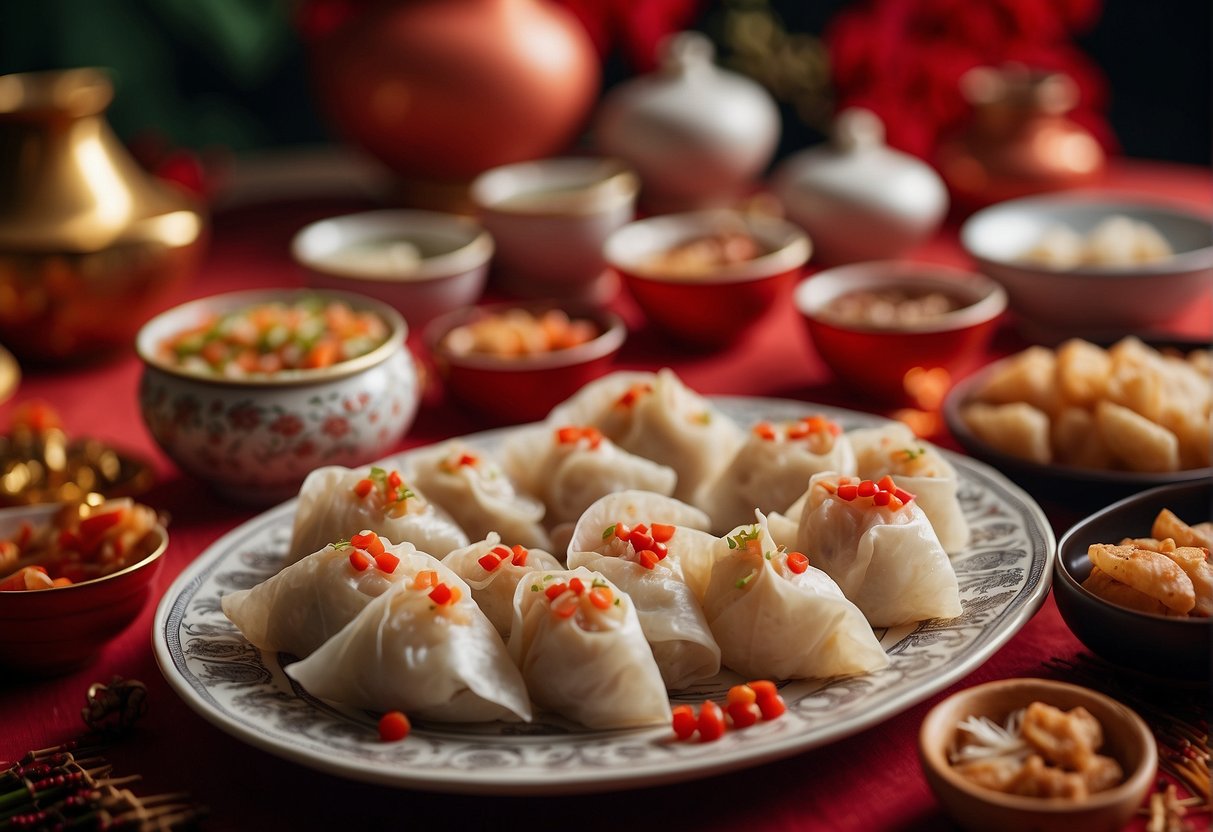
879 361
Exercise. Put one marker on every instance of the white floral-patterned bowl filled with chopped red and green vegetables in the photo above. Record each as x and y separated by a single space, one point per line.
252 391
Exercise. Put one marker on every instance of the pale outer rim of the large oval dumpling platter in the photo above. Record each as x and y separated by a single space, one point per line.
589 780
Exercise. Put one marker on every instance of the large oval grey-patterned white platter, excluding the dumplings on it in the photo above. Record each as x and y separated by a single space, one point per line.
1004 577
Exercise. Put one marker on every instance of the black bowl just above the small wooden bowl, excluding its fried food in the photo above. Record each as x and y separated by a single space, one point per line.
1174 648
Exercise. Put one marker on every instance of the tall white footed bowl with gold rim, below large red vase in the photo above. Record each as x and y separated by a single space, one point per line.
550 220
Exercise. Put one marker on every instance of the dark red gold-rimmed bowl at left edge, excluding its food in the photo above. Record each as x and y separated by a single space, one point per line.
60 630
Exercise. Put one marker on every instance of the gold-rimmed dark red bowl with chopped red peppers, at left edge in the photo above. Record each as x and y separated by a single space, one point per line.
72 578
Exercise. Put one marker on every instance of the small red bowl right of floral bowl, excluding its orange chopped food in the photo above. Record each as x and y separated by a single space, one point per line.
523 390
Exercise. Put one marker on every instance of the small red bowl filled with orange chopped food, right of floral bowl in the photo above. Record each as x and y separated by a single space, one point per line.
517 362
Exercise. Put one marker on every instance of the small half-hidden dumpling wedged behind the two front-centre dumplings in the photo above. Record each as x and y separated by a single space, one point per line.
494 571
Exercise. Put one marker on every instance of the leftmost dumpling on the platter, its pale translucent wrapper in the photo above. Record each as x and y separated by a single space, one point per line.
306 603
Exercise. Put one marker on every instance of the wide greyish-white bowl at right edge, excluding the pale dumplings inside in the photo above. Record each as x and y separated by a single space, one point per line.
1092 301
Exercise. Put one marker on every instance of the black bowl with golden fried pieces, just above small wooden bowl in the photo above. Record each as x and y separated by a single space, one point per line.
1135 584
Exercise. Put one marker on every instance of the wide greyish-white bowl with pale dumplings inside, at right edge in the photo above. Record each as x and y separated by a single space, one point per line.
1091 264
